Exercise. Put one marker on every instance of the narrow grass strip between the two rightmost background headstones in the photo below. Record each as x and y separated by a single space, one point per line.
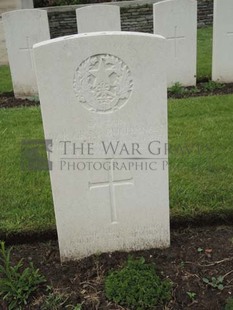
204 53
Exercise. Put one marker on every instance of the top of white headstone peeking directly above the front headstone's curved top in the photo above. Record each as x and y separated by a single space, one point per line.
95 18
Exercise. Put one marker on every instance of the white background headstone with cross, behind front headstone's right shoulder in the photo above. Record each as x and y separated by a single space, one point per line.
176 20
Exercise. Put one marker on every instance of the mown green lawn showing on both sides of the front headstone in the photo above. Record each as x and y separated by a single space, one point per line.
200 182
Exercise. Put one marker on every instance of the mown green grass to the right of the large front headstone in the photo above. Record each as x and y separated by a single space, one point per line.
201 181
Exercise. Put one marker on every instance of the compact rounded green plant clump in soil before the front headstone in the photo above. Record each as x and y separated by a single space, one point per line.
137 285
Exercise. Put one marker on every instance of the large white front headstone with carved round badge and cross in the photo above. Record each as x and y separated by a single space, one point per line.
99 88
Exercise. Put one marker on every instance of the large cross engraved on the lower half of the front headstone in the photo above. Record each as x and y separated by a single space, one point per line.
111 184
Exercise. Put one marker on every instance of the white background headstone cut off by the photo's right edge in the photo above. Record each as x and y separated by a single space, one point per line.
222 63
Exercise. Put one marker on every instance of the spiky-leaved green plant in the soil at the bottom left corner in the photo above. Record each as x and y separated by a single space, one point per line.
17 284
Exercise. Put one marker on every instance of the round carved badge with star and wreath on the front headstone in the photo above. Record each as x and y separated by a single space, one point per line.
103 83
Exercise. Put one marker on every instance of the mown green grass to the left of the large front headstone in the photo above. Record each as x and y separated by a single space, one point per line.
26 201
